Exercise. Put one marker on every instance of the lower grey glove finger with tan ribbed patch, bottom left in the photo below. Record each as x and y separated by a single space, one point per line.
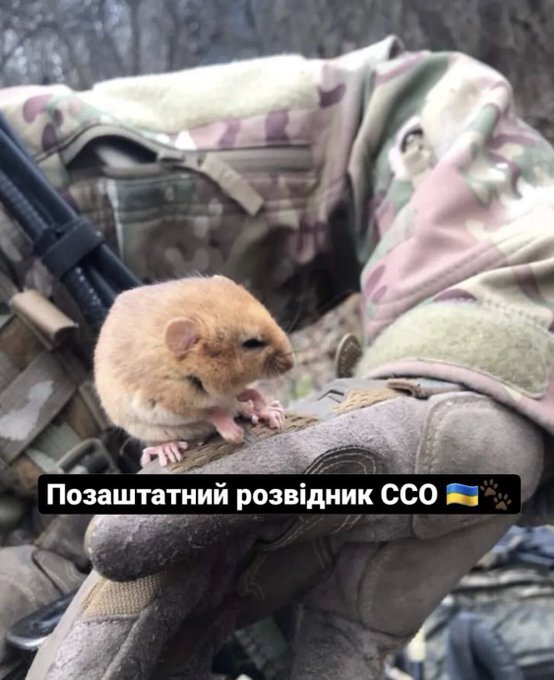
116 631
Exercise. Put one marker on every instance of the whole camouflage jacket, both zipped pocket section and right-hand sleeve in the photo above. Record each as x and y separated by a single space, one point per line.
407 174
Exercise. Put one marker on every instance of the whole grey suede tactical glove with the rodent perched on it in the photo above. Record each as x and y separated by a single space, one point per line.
168 590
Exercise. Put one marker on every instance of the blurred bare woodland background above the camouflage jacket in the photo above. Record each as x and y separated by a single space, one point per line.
82 41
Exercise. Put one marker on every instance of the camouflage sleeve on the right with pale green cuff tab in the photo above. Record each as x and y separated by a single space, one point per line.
459 280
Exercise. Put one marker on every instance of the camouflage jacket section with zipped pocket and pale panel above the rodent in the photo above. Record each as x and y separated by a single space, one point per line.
240 169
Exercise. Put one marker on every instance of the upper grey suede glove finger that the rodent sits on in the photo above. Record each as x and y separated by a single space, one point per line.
359 442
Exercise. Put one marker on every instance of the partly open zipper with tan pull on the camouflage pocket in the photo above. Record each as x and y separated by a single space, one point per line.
225 167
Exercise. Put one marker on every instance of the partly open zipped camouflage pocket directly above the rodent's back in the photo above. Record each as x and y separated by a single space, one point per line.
171 212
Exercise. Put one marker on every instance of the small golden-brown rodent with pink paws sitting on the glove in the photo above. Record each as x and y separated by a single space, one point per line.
173 362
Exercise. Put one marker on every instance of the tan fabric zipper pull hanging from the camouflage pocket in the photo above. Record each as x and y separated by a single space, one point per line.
229 180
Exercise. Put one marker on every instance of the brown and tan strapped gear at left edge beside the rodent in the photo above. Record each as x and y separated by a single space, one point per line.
50 420
